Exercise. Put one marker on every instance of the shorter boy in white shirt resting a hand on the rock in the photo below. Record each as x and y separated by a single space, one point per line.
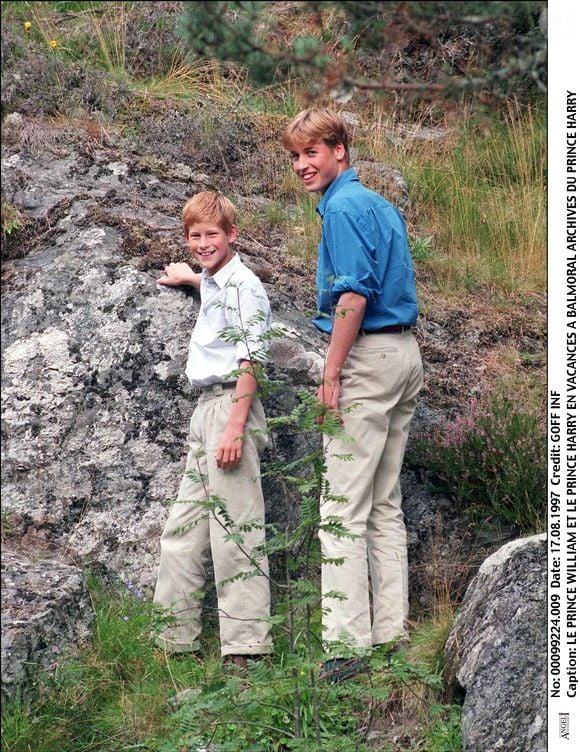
227 437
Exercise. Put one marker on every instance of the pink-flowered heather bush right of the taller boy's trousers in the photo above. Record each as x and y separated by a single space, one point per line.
491 460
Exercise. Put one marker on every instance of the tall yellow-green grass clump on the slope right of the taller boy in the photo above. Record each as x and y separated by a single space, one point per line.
482 196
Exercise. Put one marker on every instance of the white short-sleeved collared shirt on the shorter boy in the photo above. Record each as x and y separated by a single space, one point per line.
234 317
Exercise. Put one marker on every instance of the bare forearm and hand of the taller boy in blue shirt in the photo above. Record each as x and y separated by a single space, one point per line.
350 311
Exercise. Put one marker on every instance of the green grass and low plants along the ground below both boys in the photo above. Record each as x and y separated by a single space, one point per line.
115 695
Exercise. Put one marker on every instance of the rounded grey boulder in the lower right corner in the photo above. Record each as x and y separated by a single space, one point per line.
496 651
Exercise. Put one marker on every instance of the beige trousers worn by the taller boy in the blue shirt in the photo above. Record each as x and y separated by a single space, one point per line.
380 383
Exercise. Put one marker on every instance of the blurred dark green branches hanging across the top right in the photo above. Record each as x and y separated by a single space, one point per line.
447 48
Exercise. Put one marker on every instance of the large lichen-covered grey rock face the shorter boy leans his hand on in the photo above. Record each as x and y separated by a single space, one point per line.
96 404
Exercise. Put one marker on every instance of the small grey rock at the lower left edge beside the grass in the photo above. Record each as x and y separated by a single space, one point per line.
46 611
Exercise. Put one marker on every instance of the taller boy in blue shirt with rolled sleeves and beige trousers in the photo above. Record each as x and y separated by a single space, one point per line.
367 303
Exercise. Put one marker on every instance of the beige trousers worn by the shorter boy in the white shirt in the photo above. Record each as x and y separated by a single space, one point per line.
191 535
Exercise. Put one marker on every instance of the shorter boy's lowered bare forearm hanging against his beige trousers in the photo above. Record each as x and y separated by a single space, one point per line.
230 448
